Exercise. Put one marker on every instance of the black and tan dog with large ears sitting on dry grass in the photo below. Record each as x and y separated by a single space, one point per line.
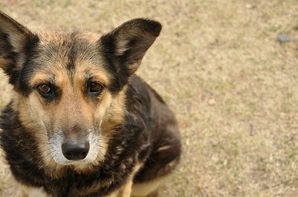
81 122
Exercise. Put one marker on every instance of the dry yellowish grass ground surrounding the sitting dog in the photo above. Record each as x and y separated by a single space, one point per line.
218 64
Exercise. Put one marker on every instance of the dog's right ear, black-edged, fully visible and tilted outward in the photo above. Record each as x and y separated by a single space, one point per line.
126 45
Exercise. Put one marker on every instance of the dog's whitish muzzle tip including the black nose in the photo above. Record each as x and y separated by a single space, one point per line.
75 151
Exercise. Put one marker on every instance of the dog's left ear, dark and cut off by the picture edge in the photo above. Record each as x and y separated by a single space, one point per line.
14 43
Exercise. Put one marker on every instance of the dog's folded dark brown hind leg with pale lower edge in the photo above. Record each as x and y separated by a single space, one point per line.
161 162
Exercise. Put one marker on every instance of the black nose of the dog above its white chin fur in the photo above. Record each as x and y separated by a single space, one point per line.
75 150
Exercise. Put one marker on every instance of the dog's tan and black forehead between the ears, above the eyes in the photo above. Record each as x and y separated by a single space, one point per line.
61 54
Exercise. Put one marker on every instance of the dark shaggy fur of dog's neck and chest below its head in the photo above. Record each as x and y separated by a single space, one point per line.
131 139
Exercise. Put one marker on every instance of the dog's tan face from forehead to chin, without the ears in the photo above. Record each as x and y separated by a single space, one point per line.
68 94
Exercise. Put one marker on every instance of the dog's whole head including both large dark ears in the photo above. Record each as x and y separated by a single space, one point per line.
70 88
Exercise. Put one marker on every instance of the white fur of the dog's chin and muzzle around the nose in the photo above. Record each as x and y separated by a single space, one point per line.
55 143
